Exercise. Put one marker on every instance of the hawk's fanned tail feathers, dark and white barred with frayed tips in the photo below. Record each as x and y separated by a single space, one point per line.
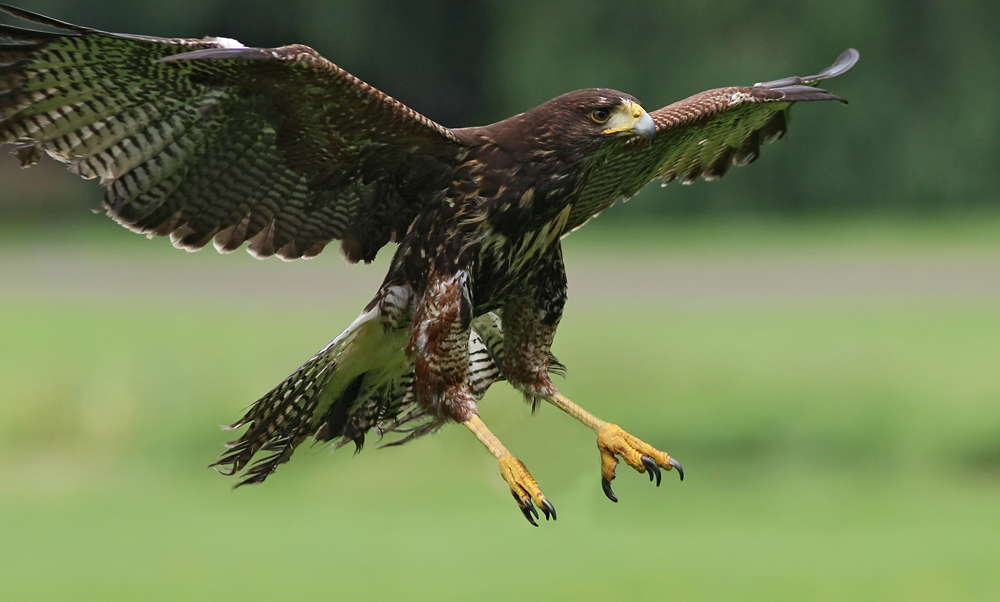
361 381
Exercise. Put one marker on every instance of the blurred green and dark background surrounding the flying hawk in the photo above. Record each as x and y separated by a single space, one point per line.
816 337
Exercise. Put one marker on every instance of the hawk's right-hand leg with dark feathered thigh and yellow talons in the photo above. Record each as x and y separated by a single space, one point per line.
530 320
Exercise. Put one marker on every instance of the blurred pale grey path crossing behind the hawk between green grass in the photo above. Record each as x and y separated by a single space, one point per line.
163 275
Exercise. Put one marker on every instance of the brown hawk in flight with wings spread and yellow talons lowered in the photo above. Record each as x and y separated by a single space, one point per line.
210 141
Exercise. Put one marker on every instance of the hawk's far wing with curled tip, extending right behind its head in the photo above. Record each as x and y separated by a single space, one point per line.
702 136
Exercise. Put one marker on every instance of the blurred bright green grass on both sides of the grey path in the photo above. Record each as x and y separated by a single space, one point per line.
834 449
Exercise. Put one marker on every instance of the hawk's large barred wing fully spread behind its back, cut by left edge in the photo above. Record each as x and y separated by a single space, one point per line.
206 139
